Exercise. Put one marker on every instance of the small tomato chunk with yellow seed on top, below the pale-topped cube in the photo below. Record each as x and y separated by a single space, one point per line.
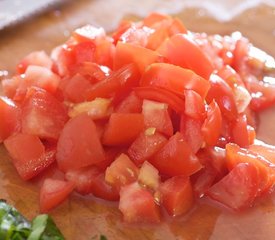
146 145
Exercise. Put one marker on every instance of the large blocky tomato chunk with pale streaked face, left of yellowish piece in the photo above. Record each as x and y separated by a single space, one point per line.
42 114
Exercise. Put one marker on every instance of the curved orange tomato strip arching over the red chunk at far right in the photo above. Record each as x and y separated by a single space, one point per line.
236 155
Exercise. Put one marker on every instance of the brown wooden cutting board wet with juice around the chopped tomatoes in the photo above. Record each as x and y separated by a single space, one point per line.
85 218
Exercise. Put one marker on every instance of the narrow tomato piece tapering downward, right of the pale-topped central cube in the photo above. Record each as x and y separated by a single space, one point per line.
191 130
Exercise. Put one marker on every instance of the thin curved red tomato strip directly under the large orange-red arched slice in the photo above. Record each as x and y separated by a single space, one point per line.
161 95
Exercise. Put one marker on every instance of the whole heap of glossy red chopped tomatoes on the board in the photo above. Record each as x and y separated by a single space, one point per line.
153 116
